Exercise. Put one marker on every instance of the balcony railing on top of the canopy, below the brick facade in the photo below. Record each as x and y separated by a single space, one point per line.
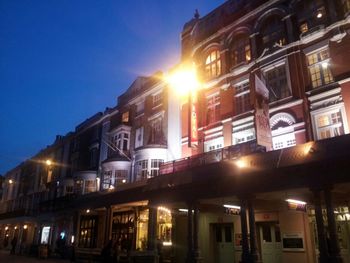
227 153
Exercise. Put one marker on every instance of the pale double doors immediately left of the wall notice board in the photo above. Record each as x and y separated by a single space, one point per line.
270 242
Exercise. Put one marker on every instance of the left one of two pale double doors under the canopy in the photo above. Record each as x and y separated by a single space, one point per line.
223 243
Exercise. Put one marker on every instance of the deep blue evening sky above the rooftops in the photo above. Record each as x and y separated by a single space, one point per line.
61 61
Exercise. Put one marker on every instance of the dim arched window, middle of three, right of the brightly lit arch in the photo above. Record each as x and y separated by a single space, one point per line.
241 52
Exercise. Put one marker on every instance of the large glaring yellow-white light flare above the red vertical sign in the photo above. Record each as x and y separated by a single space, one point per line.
183 81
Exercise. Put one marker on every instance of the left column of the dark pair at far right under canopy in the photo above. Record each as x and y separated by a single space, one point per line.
322 243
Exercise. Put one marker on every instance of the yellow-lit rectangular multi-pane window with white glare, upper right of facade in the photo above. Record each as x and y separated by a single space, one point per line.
319 68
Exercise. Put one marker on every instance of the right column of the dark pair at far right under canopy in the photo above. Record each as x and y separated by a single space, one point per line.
334 245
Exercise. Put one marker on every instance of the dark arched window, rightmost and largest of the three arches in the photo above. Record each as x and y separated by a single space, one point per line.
273 32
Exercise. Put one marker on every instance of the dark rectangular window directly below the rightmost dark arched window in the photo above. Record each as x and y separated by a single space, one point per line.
276 82
